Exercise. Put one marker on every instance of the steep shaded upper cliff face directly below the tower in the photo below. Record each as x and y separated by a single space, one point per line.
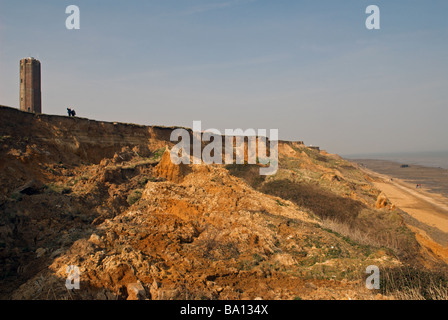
72 139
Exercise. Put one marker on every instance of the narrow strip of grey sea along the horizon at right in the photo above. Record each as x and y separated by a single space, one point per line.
438 159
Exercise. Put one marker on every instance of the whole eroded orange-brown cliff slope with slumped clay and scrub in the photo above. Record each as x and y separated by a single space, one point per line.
106 198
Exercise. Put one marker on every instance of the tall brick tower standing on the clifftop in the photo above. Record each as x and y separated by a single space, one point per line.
30 94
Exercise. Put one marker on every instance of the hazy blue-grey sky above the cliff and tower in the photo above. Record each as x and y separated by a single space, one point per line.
310 68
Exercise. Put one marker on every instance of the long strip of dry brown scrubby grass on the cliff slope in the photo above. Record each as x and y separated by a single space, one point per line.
350 218
